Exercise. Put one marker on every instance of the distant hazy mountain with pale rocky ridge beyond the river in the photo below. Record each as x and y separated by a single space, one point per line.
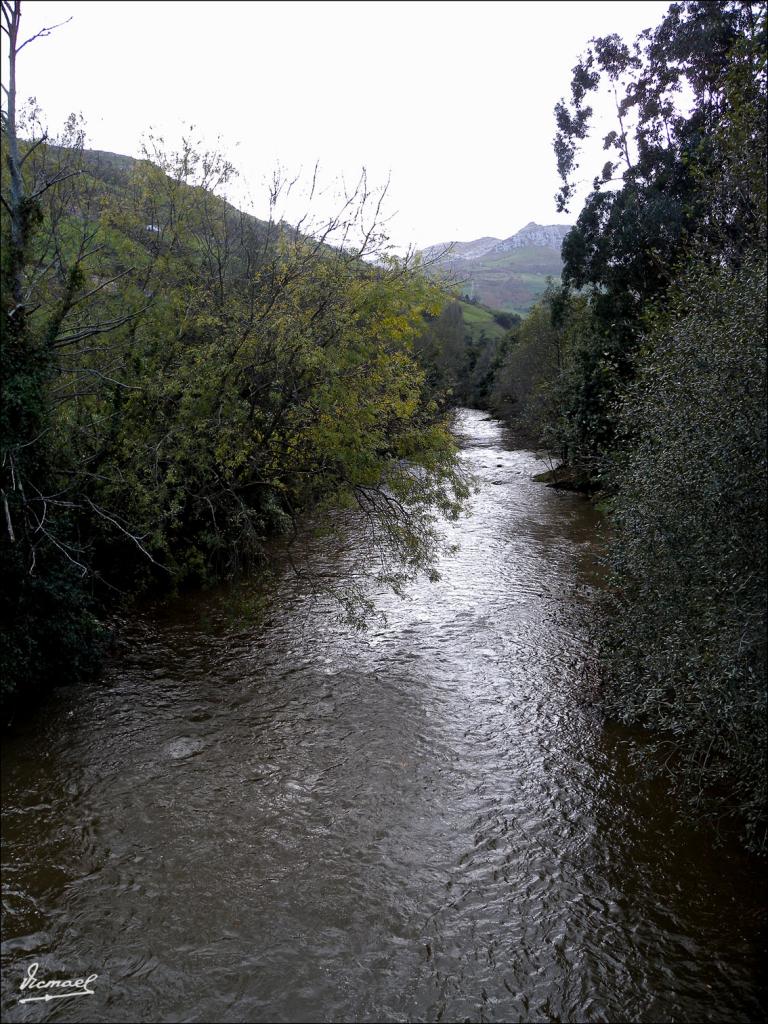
504 274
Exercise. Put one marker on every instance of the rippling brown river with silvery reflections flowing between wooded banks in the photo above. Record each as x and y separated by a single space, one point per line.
283 819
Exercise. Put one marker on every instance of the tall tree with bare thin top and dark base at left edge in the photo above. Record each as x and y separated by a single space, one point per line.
52 301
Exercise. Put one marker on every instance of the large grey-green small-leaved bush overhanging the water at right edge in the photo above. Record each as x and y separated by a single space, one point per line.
688 639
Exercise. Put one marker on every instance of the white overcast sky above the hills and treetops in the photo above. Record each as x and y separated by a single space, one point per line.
452 101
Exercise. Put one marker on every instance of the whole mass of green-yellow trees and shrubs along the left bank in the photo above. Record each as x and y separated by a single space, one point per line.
183 380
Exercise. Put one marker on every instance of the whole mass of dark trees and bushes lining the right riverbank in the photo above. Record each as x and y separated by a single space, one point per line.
646 374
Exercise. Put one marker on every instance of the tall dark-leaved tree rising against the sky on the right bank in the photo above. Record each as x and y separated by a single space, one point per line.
649 201
